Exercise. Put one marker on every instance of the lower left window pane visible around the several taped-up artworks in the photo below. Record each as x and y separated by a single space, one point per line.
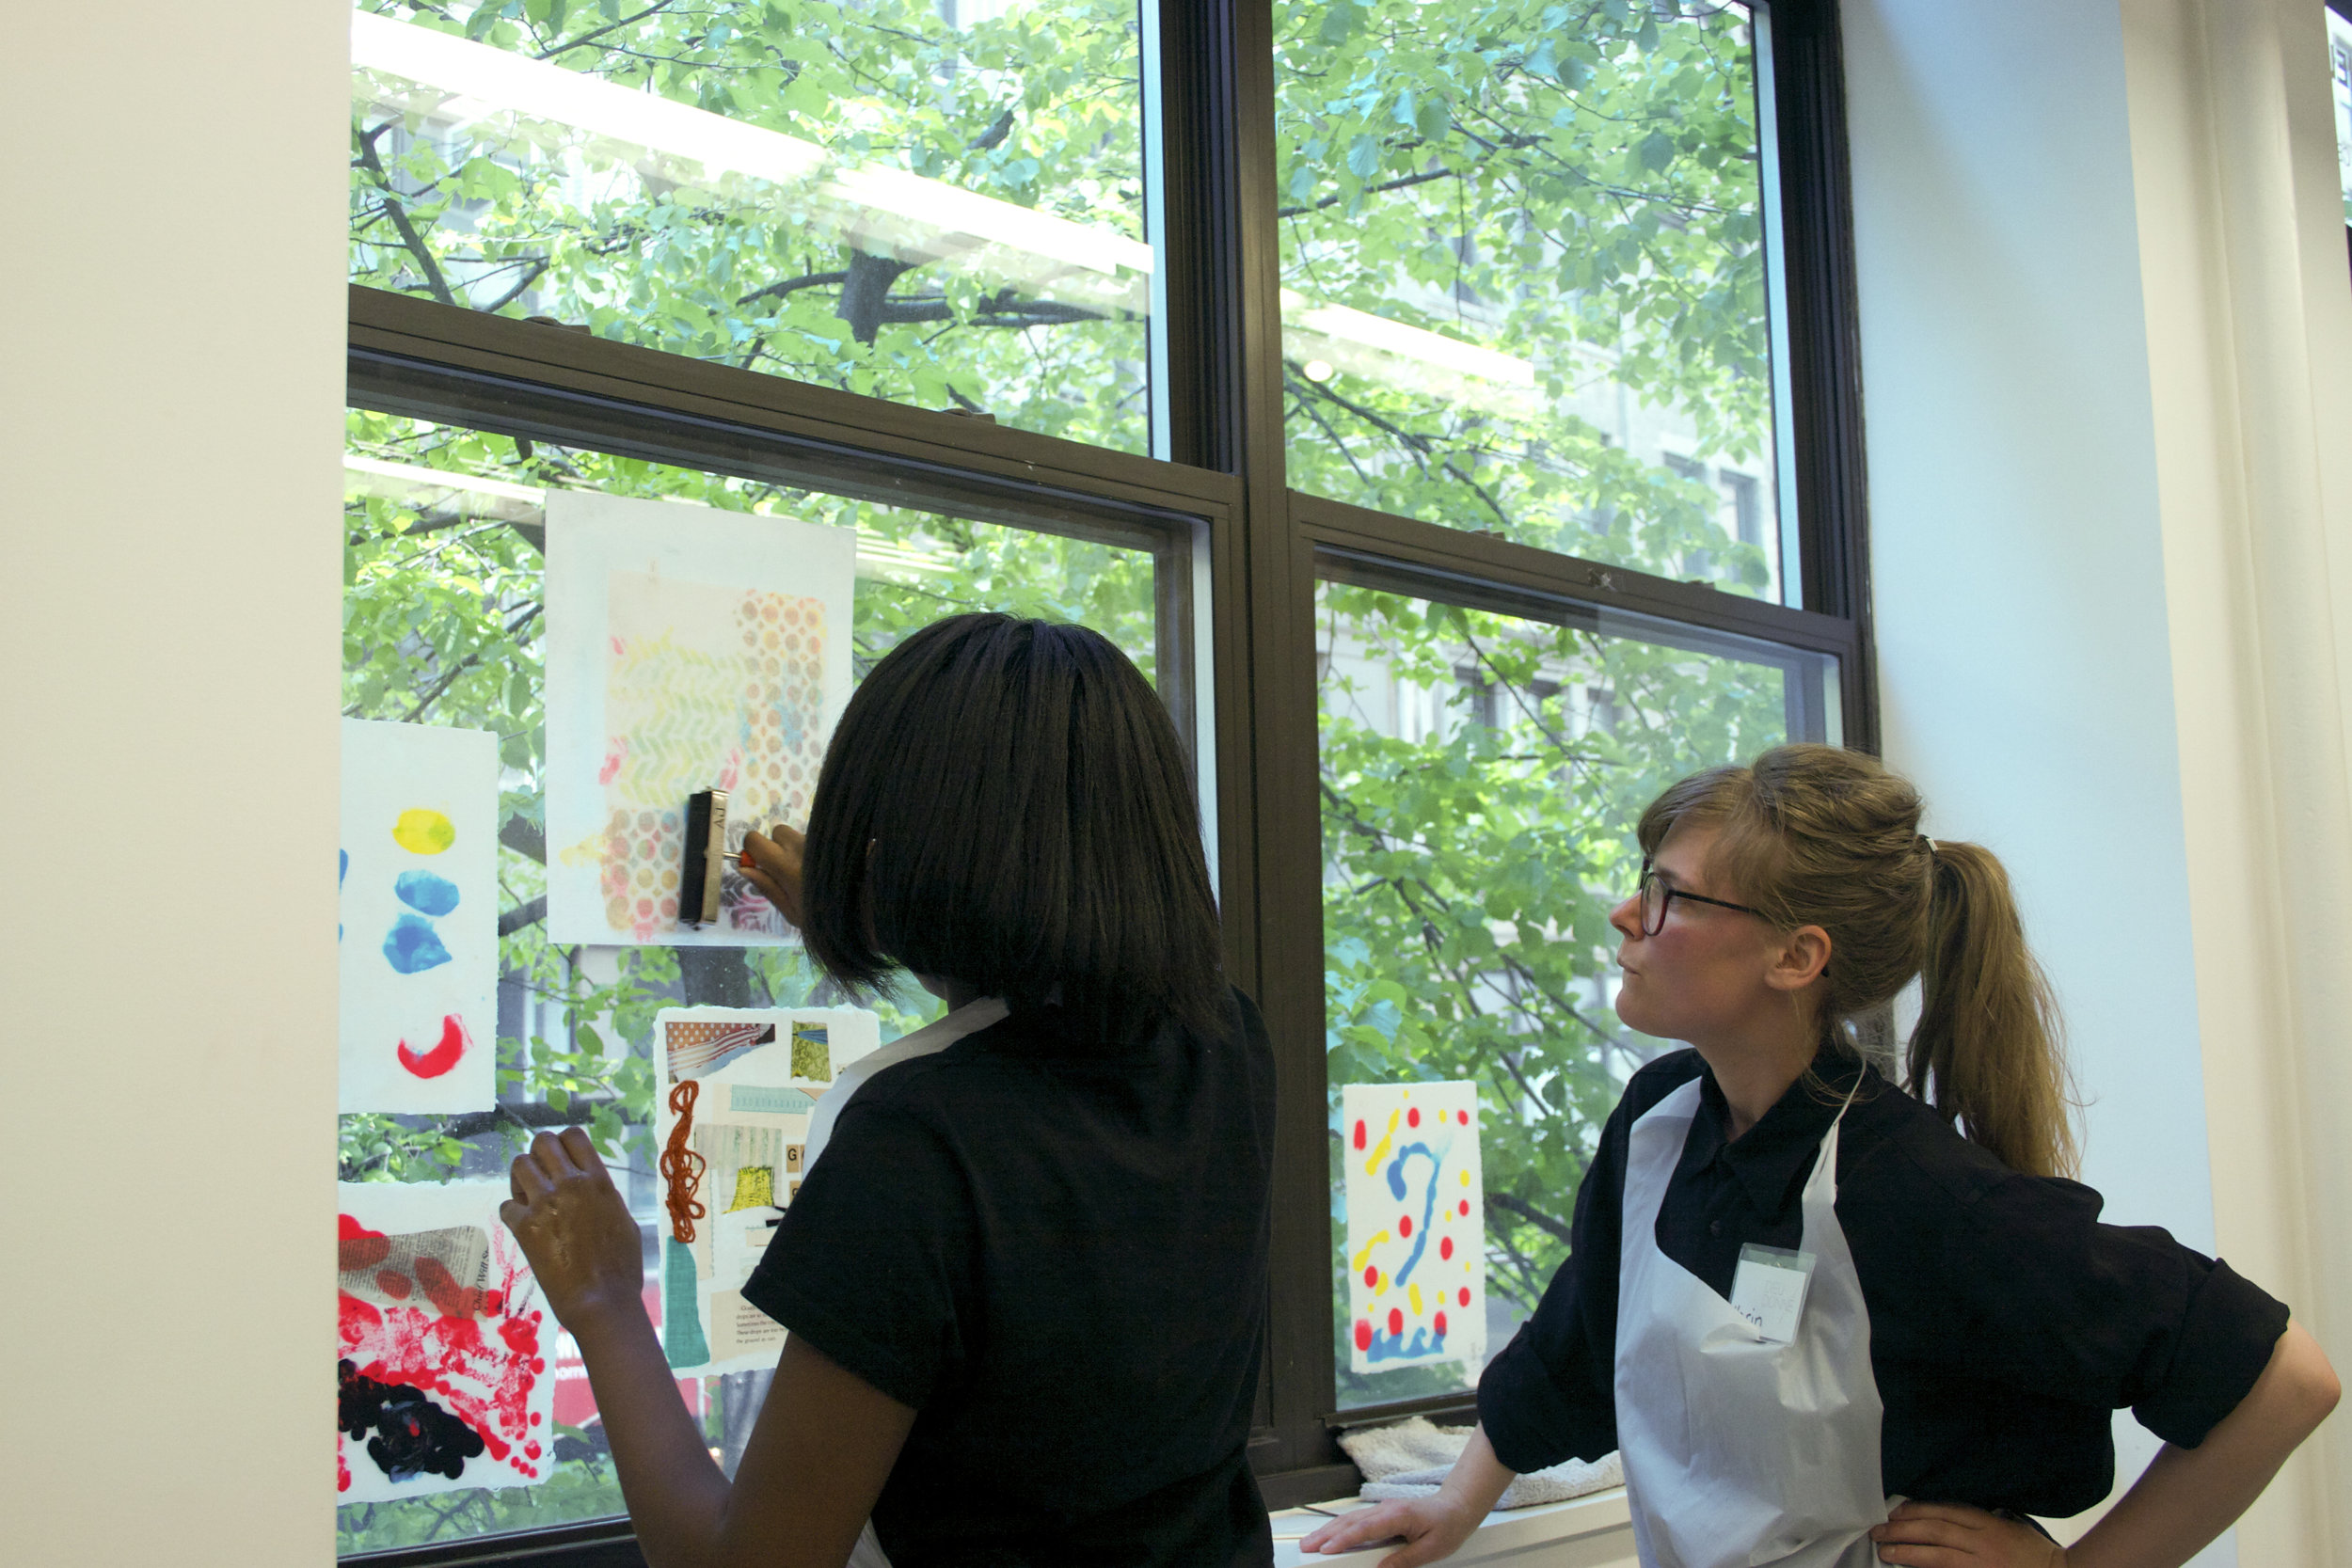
443 626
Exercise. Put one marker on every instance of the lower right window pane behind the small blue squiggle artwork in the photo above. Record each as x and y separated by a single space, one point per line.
1481 784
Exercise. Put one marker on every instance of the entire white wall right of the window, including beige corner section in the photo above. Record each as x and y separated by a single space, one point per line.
2071 631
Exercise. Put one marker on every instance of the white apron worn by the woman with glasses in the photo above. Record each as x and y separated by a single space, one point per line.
1742 1452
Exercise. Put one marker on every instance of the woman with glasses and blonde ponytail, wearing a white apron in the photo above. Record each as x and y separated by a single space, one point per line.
1800 1294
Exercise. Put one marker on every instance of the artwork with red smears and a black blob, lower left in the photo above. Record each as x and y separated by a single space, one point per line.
443 1346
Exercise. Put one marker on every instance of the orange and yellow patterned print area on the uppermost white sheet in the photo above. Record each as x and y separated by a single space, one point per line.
707 688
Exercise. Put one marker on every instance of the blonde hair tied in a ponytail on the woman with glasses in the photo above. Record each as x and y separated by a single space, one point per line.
1815 836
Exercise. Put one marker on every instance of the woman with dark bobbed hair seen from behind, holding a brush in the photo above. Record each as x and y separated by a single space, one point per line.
1027 1271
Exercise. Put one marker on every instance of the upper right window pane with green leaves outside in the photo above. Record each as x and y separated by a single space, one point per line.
1525 276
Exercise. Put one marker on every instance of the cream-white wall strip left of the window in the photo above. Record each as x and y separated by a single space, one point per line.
171 389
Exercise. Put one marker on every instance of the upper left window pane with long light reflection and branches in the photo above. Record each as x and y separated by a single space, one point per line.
930 201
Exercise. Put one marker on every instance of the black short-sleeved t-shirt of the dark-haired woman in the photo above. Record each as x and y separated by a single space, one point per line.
1055 1249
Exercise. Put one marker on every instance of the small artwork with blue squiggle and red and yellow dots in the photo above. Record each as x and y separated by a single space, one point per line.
1417 1226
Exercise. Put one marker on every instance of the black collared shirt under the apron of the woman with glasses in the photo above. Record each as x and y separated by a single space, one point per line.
2005 1320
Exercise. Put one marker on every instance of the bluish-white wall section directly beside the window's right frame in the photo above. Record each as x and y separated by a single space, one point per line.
2017 547
